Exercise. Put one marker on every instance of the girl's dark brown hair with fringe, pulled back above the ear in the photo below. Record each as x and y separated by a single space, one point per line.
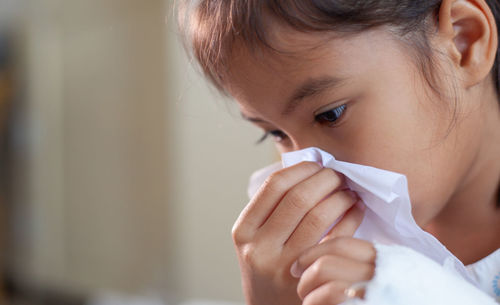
213 27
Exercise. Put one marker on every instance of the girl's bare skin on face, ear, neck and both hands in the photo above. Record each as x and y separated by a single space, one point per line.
391 121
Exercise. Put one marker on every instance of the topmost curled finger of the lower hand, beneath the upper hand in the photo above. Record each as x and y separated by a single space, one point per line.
346 247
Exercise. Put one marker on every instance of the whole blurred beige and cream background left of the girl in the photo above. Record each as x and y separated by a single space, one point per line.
121 171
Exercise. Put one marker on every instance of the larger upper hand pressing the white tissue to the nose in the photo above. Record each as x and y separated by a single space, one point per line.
289 214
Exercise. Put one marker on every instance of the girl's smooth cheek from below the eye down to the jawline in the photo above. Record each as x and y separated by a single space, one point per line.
400 133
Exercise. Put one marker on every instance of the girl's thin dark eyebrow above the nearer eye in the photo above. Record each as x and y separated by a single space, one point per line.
309 88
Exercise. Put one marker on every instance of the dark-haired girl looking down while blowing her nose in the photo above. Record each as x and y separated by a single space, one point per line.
403 85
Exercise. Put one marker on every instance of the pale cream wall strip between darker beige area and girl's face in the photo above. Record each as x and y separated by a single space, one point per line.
211 157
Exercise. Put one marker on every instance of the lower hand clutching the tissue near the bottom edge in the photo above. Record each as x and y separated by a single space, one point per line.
328 269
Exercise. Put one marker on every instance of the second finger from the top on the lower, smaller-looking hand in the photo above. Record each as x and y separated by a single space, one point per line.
333 268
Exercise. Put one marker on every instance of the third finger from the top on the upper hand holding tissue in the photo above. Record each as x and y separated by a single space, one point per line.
317 221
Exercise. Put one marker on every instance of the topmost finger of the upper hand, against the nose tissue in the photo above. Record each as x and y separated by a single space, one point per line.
269 195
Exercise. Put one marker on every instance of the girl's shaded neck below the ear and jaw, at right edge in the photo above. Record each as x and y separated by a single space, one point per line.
469 225
